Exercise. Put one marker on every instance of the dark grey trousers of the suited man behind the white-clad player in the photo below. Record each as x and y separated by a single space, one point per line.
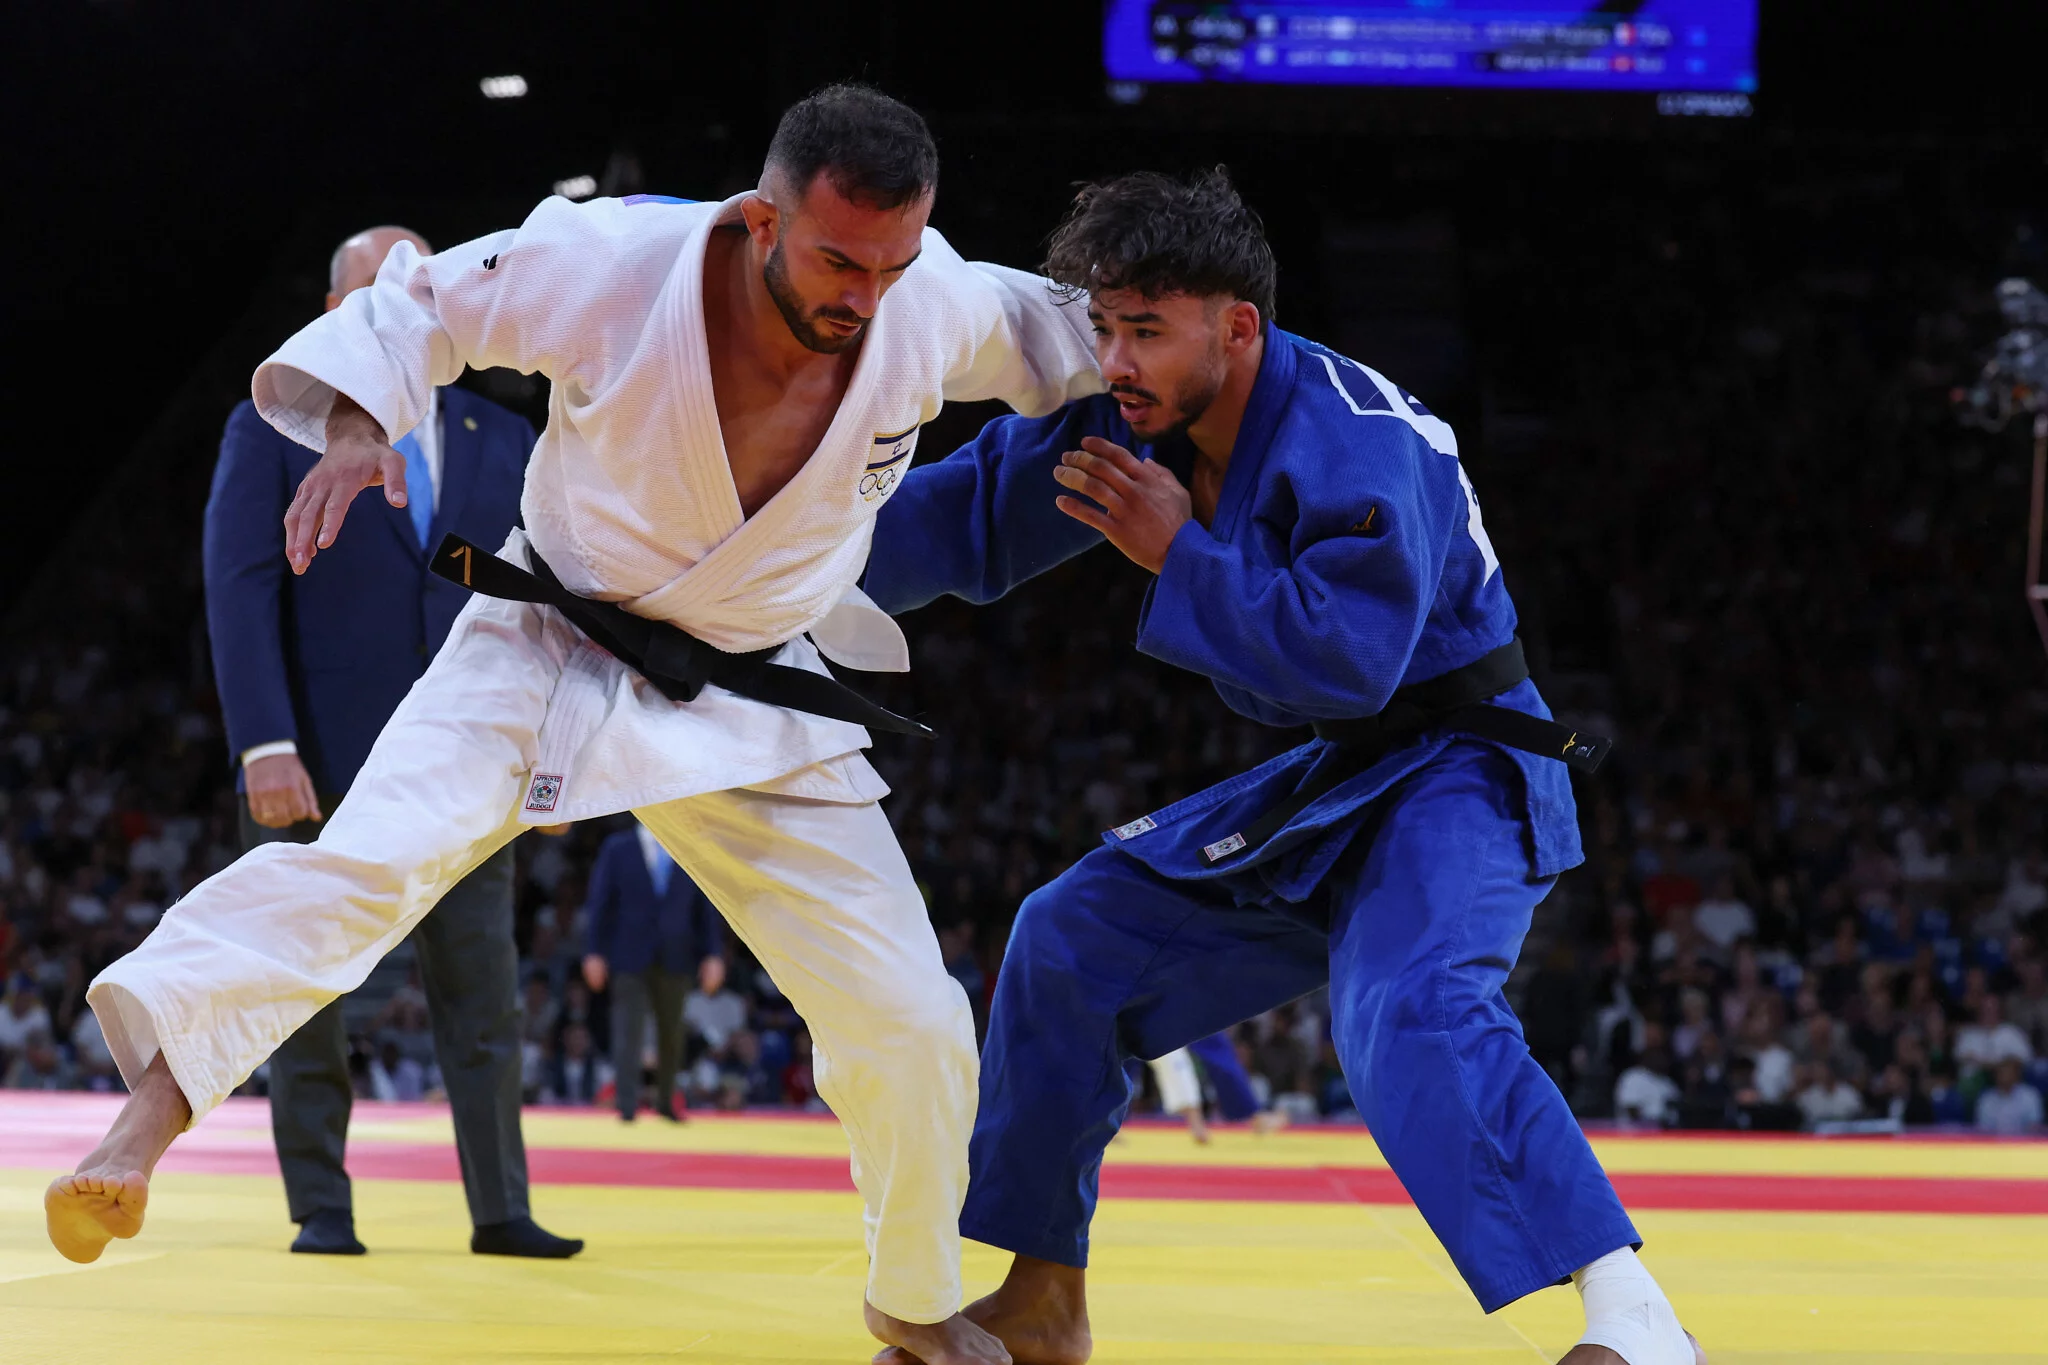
470 971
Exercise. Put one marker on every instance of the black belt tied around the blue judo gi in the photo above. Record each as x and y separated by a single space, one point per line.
1453 703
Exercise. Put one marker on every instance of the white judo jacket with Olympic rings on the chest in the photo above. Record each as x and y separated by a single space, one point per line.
630 496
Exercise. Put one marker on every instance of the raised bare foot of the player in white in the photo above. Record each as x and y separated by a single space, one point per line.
108 1196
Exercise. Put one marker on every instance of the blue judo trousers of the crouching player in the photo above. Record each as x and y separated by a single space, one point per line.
1416 930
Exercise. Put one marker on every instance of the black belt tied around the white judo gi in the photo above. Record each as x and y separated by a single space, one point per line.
673 660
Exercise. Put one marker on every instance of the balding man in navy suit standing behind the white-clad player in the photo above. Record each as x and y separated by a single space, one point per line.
310 668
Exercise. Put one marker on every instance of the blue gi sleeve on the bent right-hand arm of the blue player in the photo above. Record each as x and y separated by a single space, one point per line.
1330 633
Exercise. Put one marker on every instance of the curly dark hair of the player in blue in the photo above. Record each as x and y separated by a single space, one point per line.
1164 236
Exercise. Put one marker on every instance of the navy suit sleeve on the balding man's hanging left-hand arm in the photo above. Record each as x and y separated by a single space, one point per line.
245 572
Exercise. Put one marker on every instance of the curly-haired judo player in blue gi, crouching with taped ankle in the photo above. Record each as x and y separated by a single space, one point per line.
1320 556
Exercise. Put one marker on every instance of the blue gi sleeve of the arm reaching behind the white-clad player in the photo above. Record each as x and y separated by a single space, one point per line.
984 519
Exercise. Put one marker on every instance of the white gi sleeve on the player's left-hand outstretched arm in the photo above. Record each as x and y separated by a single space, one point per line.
531 300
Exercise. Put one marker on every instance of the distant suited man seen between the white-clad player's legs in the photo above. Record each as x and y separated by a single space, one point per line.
650 934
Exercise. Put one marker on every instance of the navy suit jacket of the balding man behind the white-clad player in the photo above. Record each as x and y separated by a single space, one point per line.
325 658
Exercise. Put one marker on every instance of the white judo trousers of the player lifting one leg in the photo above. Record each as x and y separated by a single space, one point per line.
818 889
